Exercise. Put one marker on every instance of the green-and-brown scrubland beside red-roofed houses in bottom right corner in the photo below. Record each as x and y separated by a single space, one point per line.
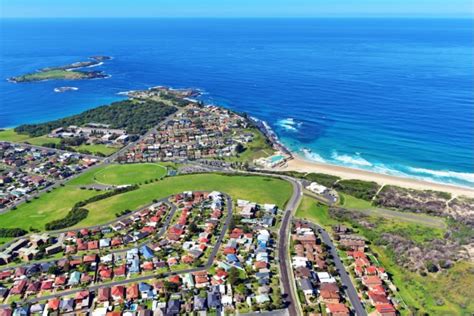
427 264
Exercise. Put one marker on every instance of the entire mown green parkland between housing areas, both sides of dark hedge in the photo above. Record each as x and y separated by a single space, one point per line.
56 204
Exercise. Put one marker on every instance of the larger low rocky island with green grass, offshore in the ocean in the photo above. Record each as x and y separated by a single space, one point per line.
66 72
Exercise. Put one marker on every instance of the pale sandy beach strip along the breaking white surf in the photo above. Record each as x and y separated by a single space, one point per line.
301 165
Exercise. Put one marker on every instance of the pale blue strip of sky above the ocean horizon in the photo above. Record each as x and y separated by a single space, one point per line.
236 8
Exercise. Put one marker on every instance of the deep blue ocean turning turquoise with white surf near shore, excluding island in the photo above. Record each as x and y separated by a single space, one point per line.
389 95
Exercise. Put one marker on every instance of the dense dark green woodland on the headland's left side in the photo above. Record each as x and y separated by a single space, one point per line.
136 117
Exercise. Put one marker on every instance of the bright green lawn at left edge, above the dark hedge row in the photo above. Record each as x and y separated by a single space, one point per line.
47 207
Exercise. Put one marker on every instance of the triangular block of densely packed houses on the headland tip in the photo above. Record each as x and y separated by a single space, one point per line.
196 132
